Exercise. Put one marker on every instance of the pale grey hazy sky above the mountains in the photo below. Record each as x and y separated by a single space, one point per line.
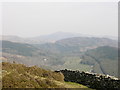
38 18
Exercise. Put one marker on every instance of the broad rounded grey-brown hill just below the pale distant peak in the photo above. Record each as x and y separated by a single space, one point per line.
87 42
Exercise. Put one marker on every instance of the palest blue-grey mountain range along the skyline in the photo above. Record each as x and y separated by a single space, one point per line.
51 38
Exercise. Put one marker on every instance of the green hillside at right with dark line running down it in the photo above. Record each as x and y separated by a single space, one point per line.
103 59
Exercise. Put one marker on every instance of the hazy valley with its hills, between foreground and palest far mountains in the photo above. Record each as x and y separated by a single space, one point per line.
77 53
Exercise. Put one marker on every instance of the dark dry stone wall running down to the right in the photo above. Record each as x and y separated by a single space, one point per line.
94 81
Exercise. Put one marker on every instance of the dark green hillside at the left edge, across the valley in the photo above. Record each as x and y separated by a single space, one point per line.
17 48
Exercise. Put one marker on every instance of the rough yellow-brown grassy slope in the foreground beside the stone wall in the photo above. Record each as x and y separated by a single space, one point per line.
20 76
